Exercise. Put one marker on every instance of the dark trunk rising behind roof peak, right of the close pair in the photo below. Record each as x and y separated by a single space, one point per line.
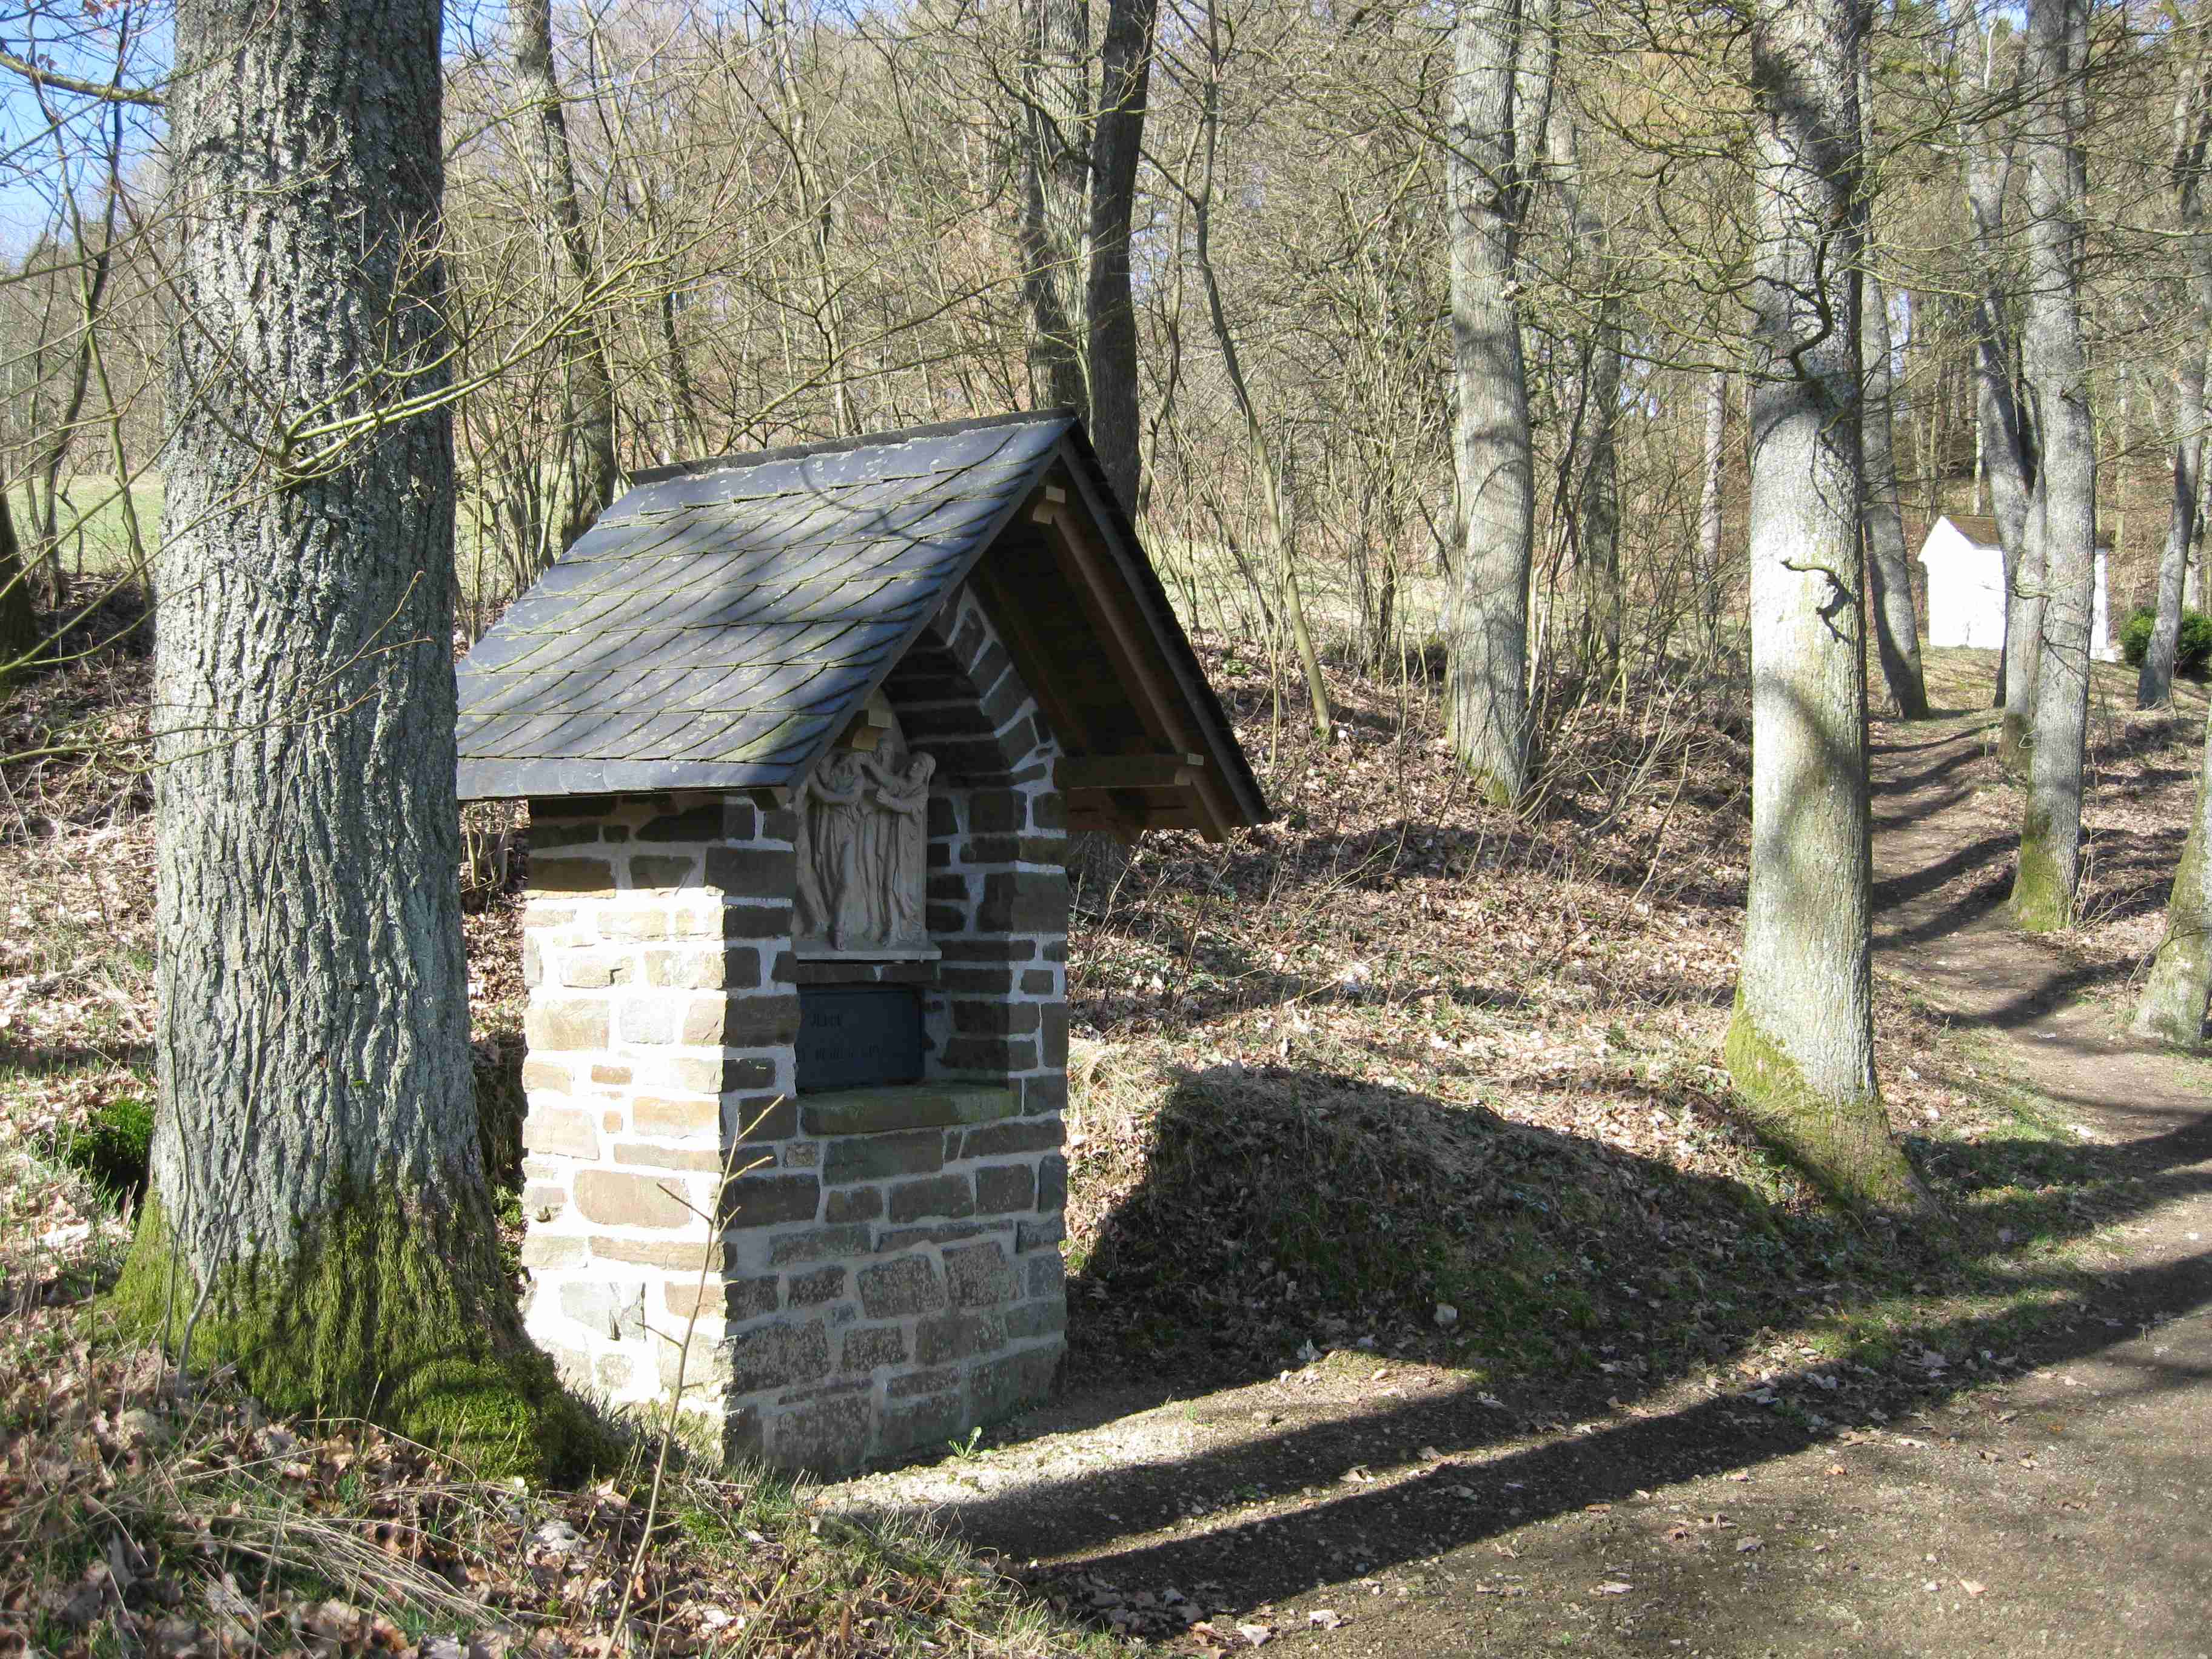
1116 149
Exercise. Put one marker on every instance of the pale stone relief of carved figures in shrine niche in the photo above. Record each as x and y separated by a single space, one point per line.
864 851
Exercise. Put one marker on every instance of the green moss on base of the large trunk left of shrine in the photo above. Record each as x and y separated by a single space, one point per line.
384 1313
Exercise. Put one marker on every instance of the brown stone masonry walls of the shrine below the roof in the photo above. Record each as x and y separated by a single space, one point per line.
864 1293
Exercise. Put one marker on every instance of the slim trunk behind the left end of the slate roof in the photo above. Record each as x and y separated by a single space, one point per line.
589 419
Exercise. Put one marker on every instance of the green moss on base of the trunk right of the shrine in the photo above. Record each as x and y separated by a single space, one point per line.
1841 1145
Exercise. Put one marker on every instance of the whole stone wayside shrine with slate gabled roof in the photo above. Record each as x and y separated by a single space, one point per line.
804 735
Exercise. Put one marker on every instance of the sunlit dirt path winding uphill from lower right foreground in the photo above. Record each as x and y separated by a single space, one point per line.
1397 1512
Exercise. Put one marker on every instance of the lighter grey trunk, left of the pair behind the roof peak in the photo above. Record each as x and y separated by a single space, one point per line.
1056 90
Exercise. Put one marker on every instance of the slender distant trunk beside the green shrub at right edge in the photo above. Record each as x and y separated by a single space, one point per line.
2193 136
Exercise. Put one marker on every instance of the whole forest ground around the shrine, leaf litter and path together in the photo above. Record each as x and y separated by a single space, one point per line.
1428 1295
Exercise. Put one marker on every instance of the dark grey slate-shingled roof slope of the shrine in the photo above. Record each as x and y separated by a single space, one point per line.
722 623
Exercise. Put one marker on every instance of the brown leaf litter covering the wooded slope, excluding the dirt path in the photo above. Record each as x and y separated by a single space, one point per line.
1395 1078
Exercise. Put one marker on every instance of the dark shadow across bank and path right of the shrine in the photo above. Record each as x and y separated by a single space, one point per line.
1596 1282
